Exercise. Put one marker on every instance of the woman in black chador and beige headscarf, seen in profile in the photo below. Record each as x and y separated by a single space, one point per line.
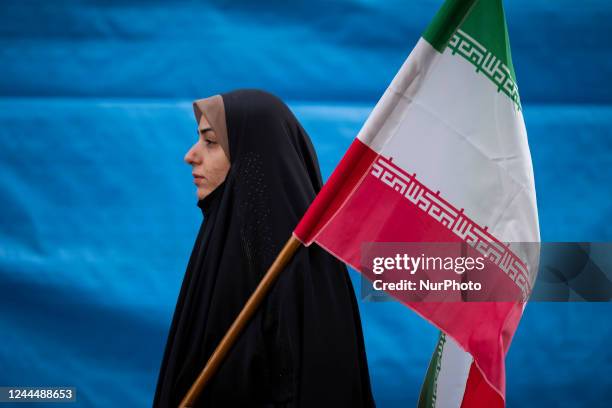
256 173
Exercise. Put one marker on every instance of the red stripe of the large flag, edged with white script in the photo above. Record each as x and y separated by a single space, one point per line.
360 204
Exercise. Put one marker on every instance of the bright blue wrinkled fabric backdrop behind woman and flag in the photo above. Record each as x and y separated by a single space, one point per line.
98 212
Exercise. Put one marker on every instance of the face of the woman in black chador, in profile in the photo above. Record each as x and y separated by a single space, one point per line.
208 161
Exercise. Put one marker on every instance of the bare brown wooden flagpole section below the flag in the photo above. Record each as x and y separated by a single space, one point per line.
245 315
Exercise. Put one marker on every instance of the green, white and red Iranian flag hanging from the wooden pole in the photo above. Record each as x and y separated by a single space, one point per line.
443 157
